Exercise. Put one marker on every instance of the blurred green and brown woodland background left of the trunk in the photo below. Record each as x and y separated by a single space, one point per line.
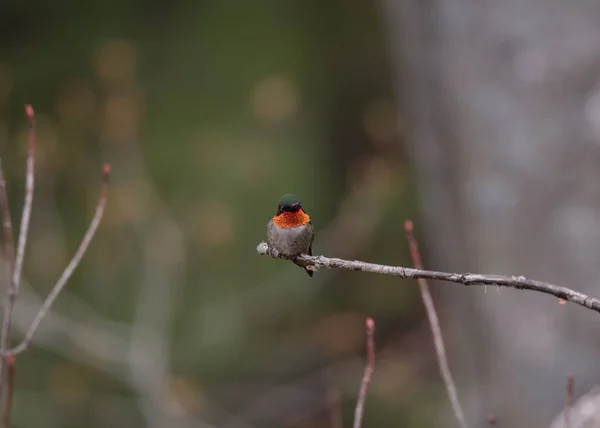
208 111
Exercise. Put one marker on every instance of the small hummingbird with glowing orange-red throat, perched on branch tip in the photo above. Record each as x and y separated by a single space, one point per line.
290 231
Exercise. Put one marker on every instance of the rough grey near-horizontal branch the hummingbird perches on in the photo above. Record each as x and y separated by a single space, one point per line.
517 282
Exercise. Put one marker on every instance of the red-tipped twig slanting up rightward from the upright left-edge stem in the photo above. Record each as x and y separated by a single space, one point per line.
62 281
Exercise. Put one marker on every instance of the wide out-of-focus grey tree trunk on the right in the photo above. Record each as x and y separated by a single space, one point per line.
501 108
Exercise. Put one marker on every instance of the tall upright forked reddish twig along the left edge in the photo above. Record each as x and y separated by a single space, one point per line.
15 279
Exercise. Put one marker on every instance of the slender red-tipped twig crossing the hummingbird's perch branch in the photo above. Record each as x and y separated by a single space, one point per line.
434 323
